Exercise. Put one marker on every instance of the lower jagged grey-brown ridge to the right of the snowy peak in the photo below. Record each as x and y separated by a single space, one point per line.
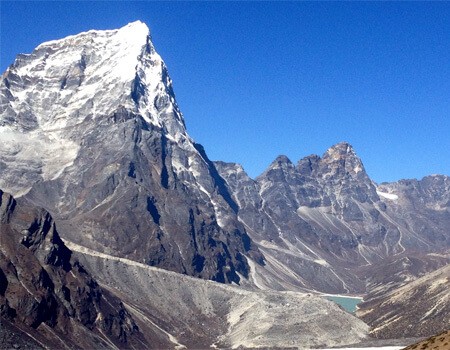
323 223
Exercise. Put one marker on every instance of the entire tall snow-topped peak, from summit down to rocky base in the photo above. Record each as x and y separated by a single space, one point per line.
91 131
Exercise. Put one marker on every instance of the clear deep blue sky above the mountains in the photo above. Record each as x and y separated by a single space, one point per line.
259 79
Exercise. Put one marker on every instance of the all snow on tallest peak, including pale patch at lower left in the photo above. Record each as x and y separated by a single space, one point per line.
51 93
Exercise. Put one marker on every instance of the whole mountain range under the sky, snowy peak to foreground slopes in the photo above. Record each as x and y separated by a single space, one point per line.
91 131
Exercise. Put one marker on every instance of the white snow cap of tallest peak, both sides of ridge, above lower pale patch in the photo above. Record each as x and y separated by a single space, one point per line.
72 74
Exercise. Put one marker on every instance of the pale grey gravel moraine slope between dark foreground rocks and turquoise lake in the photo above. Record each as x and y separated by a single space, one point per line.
201 314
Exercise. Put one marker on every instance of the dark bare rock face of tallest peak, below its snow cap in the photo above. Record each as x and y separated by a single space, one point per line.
149 215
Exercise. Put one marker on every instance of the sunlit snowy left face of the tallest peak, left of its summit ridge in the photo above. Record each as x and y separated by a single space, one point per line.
74 72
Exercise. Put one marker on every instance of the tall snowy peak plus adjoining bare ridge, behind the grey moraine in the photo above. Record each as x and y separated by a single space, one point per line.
102 146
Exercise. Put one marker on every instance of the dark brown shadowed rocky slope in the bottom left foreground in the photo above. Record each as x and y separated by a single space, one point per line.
47 295
